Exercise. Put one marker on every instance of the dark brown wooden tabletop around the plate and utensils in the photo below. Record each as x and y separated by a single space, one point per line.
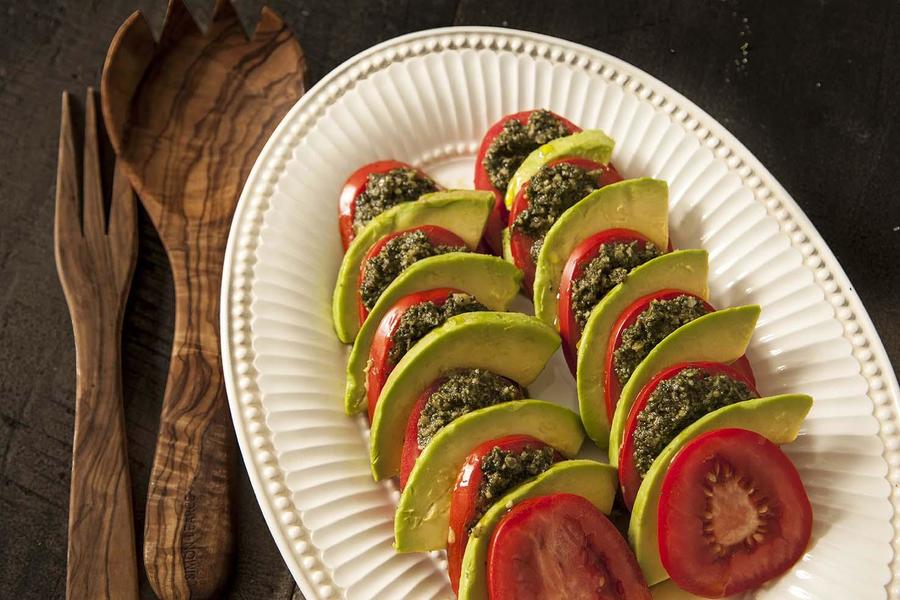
815 100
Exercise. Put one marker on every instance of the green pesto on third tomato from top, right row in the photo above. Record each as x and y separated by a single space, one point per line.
604 272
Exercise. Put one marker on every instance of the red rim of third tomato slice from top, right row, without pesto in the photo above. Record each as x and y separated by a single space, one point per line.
583 254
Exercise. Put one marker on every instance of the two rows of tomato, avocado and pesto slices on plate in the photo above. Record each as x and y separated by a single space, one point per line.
442 370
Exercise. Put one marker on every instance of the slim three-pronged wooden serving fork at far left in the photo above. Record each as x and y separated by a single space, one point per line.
95 264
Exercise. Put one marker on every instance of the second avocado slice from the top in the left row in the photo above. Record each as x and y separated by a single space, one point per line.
492 281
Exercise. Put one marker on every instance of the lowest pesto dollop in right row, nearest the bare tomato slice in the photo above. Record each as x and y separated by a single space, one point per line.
675 404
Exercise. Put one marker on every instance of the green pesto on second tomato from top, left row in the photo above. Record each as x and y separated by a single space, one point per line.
396 255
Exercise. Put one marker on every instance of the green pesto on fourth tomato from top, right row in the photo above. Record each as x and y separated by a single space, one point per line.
660 318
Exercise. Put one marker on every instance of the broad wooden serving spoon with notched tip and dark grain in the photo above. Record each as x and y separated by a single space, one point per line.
187 117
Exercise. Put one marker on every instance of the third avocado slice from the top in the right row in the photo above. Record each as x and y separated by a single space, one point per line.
683 270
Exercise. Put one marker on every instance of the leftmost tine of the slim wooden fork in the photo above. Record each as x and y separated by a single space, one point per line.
67 222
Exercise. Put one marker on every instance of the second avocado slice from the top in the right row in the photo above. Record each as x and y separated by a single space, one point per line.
641 205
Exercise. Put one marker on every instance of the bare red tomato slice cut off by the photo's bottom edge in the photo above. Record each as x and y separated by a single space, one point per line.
561 546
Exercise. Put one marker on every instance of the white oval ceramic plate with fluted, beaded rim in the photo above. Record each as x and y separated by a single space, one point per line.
427 98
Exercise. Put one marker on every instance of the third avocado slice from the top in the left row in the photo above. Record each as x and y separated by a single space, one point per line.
513 345
